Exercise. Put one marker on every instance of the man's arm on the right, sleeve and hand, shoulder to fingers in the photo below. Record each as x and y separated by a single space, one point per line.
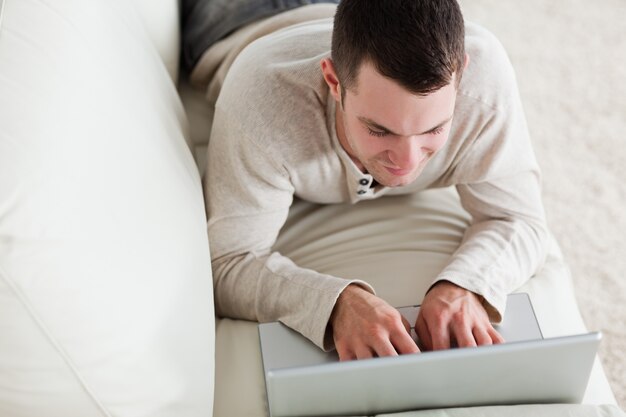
498 181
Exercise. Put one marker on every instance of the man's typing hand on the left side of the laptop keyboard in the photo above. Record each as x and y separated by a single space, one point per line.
365 326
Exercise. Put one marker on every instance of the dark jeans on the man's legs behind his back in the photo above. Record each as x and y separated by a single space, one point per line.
205 22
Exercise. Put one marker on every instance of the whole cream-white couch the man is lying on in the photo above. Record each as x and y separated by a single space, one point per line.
106 305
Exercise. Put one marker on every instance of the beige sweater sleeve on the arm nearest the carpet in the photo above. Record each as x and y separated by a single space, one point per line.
498 181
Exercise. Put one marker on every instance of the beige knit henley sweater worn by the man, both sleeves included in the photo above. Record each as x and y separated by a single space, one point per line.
274 138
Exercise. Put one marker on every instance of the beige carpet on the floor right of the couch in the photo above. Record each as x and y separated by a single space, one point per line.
570 59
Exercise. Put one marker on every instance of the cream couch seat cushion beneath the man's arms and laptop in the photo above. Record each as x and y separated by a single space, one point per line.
397 244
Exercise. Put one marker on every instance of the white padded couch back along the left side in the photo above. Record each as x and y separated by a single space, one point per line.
105 280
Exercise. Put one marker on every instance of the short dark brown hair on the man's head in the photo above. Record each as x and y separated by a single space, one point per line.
420 44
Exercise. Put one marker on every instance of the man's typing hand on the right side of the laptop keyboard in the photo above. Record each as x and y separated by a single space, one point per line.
450 314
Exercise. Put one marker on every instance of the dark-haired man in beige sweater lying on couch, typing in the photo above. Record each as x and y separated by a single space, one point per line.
393 97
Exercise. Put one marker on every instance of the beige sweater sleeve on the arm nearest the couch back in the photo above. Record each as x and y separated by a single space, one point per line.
248 194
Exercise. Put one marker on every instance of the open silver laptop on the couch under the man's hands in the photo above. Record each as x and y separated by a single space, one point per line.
302 380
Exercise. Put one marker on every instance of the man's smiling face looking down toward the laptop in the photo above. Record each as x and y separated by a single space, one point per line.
390 132
